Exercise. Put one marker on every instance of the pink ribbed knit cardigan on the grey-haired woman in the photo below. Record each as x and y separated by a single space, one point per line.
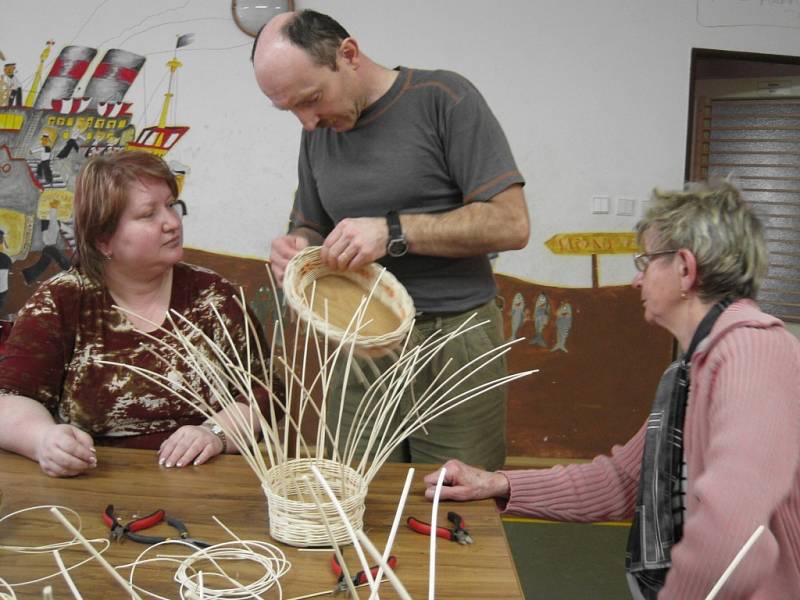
742 449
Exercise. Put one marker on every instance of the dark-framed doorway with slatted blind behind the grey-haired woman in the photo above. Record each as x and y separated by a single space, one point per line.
744 123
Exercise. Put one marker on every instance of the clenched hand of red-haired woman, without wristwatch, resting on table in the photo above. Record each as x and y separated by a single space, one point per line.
65 451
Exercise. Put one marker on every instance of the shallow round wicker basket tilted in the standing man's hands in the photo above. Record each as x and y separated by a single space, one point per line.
388 316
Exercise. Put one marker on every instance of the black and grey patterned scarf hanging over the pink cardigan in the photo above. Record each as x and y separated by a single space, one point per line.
658 518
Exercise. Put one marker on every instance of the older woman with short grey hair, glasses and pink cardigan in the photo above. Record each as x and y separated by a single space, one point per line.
720 452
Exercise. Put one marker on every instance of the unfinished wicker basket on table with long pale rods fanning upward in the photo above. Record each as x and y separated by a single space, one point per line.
225 370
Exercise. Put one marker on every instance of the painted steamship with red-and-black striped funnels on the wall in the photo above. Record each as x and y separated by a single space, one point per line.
56 127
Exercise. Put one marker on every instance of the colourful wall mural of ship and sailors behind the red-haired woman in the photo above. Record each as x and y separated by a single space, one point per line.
47 132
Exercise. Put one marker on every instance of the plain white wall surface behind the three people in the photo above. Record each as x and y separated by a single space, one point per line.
593 97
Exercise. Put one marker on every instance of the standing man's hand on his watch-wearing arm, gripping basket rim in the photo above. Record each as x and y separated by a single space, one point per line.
355 242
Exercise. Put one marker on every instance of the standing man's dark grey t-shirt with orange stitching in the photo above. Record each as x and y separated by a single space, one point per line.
430 144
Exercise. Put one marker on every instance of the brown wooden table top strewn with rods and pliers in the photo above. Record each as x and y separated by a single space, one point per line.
227 489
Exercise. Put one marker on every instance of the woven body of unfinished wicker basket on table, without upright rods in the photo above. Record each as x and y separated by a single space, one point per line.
294 517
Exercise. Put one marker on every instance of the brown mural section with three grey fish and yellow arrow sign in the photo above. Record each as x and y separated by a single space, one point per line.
598 361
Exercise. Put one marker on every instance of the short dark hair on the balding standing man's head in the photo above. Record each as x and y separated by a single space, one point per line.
316 33
